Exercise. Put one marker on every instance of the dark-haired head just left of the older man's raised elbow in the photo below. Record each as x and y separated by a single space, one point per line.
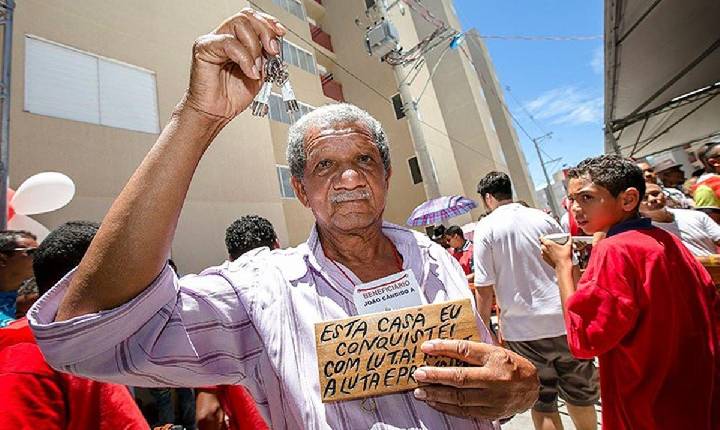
61 251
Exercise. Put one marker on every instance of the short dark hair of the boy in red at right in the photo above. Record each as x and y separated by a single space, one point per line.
612 172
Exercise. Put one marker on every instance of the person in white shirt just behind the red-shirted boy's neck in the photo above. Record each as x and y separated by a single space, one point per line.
697 231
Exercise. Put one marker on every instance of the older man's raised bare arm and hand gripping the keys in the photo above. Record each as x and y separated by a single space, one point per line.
224 79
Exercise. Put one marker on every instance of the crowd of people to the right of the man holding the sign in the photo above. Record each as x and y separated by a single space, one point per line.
618 306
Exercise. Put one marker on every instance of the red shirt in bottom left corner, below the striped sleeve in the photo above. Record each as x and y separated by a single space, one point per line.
35 396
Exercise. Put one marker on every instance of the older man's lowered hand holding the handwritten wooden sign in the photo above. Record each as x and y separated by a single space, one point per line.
498 384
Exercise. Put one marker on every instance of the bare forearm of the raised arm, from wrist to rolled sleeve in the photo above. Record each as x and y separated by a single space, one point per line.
135 237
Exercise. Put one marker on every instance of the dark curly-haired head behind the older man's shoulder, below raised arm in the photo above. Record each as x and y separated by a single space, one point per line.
247 233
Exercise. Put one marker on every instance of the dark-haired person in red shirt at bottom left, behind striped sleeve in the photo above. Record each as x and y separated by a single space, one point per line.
36 396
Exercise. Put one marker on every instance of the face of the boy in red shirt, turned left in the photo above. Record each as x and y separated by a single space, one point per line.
595 209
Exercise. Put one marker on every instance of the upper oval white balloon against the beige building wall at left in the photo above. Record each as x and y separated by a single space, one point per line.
44 192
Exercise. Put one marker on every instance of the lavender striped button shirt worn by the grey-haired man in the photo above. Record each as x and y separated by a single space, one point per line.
249 322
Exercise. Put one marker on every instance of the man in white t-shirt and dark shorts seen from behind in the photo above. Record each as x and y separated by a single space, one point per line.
507 261
